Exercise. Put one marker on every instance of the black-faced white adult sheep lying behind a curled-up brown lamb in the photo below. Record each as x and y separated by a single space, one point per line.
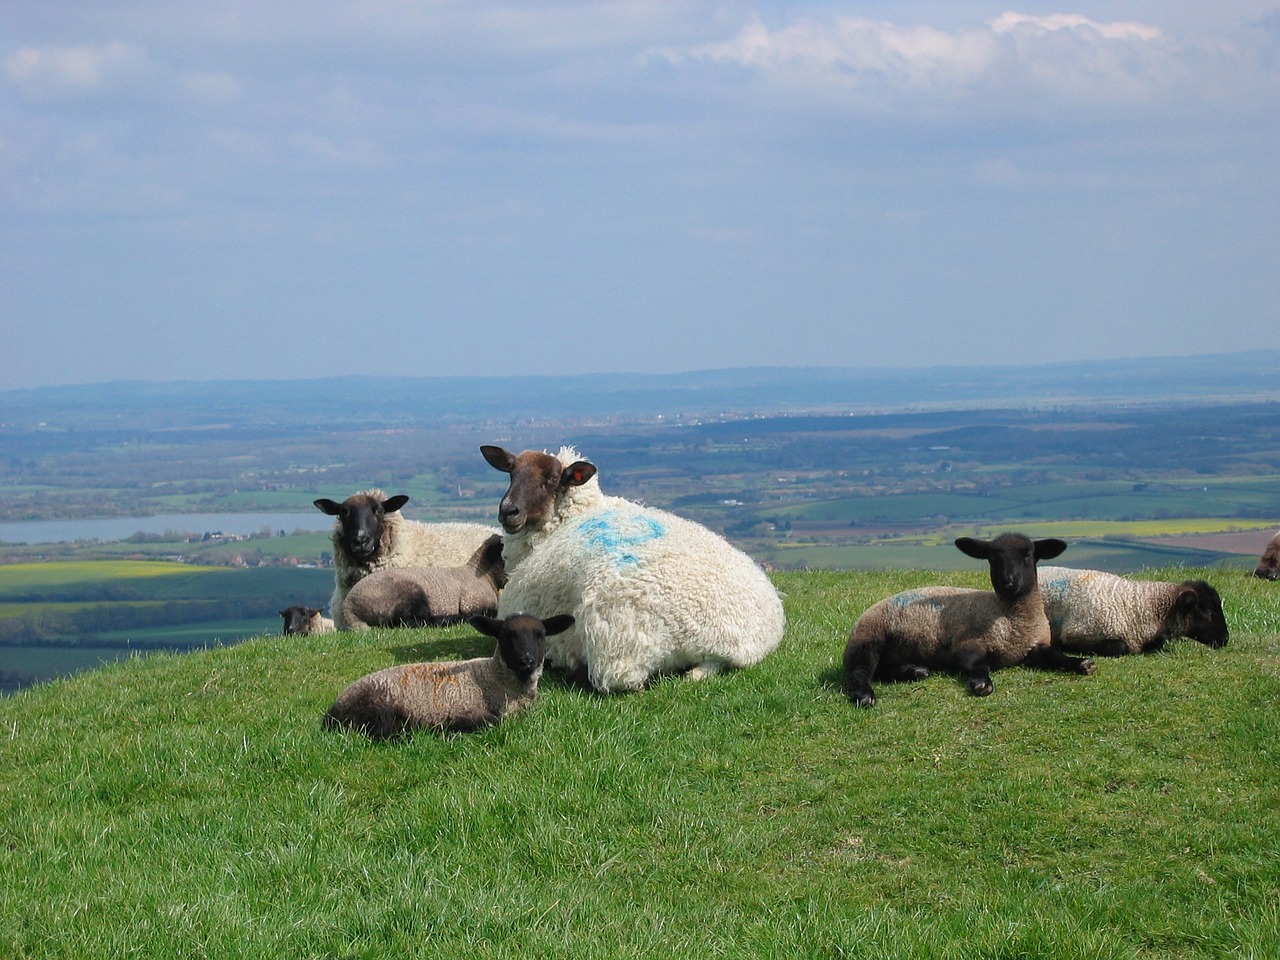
371 534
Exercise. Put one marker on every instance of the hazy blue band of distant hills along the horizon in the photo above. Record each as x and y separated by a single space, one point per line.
1227 377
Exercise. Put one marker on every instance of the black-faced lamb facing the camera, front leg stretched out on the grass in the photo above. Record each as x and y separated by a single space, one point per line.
972 632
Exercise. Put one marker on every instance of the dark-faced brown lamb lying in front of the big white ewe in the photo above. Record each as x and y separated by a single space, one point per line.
458 696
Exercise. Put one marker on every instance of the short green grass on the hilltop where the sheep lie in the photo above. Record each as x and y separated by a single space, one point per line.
191 806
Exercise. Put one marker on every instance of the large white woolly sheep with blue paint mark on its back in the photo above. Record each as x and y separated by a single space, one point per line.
652 593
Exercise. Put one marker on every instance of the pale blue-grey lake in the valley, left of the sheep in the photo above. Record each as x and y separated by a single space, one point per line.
124 528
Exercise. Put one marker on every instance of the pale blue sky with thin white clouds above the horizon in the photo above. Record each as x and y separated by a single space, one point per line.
239 190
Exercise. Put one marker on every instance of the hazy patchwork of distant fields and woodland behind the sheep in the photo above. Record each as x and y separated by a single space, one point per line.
784 469
